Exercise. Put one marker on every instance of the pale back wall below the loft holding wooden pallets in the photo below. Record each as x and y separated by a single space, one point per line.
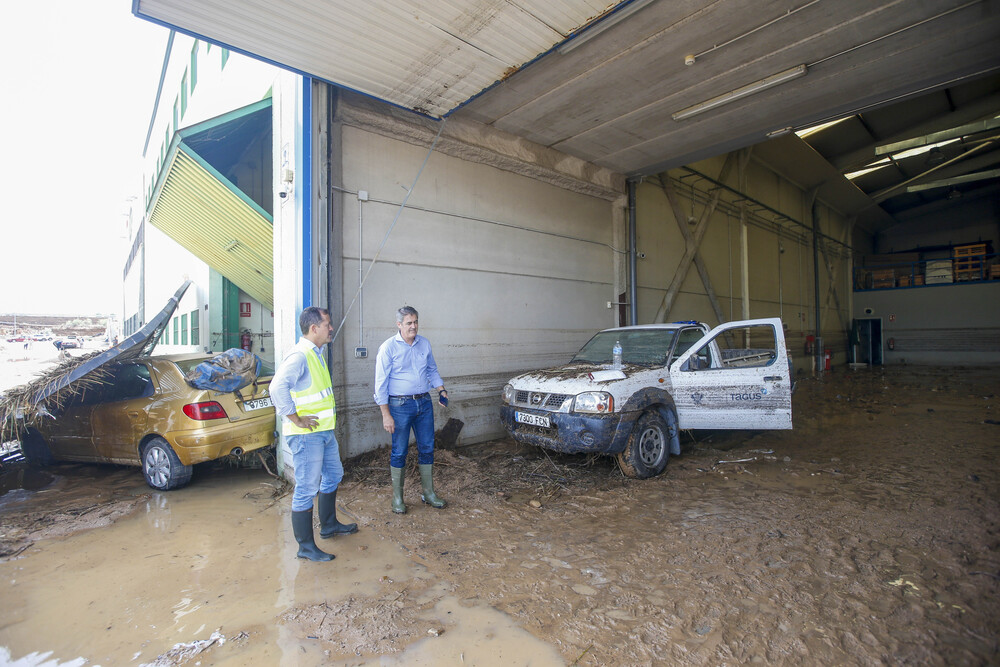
937 324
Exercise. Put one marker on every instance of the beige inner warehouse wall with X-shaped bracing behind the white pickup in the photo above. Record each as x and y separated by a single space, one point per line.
773 277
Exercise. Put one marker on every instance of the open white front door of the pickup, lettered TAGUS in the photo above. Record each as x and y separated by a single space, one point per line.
736 377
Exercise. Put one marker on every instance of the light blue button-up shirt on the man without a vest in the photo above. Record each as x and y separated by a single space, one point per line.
402 369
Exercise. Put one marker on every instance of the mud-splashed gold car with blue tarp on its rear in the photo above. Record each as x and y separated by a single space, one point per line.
144 413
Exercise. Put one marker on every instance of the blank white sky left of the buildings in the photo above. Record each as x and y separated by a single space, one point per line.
80 80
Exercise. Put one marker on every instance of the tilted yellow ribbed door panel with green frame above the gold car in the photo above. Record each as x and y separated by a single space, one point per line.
205 213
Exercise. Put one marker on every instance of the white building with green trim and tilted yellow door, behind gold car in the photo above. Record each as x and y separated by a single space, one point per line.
197 119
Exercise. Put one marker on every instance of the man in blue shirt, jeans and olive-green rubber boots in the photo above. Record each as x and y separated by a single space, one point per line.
404 370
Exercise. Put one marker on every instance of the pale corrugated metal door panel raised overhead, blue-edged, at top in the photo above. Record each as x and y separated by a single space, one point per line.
426 56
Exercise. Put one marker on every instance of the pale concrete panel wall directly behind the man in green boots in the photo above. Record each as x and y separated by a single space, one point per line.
509 272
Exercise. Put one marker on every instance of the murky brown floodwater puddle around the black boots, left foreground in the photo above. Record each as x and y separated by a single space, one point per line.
218 557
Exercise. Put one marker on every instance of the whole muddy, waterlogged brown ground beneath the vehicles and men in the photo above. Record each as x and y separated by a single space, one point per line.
869 534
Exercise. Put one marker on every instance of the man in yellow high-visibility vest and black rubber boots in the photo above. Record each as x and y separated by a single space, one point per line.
302 393
